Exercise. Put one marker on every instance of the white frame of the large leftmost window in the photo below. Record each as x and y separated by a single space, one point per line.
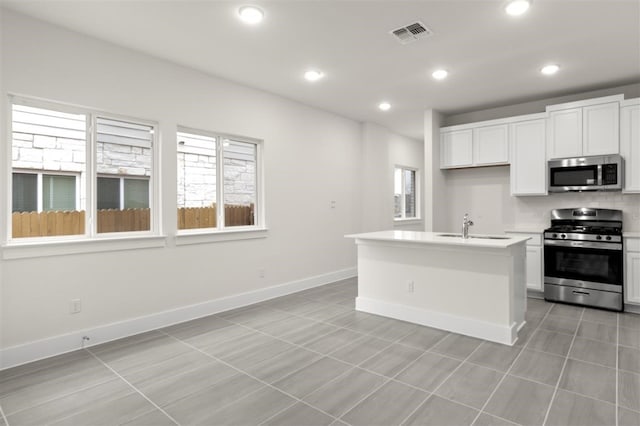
90 184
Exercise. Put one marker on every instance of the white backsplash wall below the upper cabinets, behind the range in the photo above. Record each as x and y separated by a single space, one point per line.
484 193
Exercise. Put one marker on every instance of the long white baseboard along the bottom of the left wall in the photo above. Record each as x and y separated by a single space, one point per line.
56 345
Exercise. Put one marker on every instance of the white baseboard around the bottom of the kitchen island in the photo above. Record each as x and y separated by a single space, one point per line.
470 327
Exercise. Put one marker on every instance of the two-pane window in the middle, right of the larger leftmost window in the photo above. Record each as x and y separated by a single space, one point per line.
216 170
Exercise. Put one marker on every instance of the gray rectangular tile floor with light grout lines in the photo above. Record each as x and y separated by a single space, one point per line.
311 359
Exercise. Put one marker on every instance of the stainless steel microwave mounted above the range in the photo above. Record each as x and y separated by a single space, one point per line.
595 173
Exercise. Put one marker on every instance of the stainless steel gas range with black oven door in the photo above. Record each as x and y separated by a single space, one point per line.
583 258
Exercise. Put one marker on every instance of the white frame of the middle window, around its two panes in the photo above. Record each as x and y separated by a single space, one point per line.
222 232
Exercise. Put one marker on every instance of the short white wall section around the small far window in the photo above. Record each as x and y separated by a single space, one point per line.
382 151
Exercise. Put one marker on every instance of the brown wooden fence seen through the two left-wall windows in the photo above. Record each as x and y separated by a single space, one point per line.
52 223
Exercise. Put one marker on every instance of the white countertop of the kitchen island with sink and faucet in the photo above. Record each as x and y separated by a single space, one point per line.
436 238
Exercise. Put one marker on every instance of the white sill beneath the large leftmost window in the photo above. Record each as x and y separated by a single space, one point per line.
23 250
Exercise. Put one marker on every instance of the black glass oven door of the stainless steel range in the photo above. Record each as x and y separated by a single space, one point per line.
581 264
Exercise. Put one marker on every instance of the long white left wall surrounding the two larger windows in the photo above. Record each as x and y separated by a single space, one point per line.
311 158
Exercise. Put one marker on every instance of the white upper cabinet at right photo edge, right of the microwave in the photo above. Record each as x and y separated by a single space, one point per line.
630 143
